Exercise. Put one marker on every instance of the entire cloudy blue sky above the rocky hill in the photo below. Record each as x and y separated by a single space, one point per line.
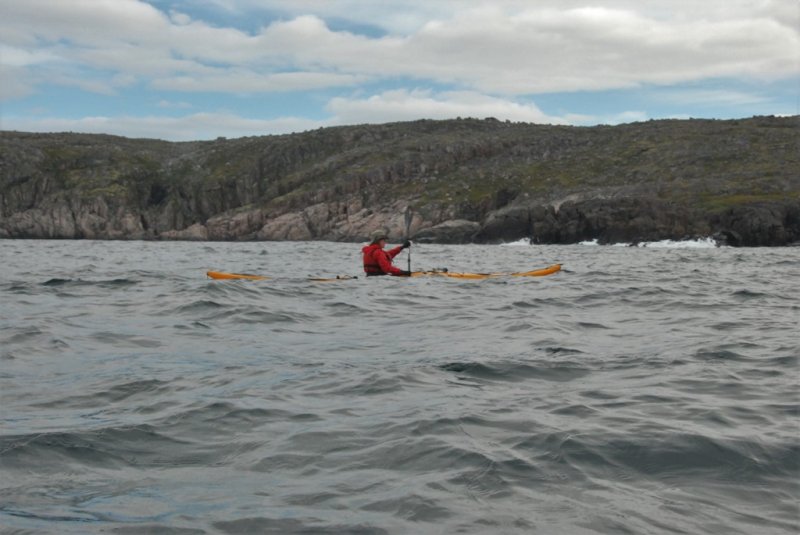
199 69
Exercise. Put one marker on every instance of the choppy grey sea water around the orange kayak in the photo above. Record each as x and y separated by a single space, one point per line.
639 391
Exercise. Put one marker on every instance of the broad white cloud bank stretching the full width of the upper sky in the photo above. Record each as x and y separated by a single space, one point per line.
506 47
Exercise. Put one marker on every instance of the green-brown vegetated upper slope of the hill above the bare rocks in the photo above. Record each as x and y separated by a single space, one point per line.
463 168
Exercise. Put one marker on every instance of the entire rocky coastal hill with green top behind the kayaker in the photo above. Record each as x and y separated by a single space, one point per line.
466 180
